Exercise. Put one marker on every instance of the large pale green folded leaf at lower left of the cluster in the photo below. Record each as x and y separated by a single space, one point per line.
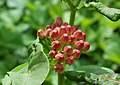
32 73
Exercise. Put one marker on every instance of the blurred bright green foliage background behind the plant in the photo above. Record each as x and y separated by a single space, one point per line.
20 20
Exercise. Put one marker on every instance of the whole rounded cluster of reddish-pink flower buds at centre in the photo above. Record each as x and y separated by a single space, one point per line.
67 43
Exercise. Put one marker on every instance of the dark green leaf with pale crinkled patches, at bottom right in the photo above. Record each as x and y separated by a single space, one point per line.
91 74
